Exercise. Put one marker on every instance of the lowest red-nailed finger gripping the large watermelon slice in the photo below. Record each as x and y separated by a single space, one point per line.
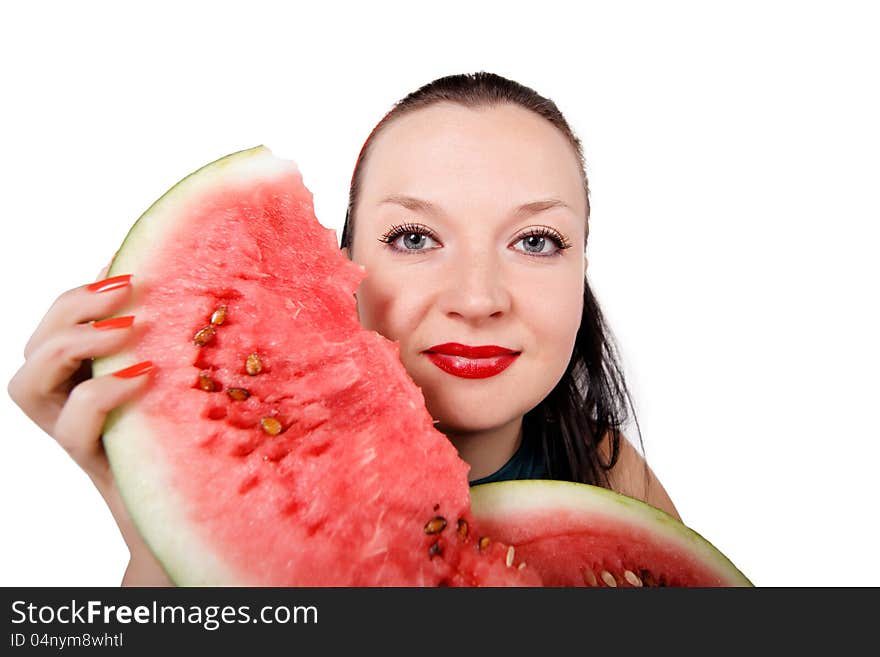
79 425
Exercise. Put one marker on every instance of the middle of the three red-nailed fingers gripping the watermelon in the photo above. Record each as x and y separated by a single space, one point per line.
59 358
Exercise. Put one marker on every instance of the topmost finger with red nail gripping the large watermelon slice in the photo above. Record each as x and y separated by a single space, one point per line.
81 304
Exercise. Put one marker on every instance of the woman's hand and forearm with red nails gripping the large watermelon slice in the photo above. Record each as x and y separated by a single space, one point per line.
55 389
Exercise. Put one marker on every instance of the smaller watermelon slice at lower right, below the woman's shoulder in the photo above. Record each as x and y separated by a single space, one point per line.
580 535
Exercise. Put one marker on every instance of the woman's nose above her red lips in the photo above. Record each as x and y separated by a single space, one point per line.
476 290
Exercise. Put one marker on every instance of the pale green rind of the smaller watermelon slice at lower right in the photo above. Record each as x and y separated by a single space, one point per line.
498 501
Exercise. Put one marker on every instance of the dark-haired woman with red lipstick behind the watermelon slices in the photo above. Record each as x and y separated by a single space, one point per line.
469 209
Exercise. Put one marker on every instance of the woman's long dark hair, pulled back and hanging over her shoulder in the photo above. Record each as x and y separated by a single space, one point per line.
590 403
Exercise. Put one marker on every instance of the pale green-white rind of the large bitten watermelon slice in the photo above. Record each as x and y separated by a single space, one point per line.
143 481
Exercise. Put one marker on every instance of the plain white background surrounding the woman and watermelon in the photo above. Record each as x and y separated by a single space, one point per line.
733 157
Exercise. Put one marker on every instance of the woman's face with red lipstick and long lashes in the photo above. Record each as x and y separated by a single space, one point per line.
455 255
